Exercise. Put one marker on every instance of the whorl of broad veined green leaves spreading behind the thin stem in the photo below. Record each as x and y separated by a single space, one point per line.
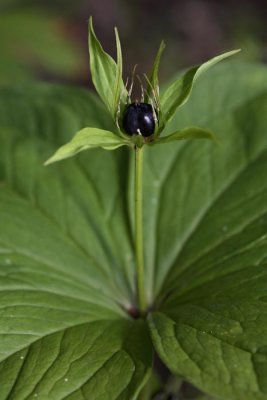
67 250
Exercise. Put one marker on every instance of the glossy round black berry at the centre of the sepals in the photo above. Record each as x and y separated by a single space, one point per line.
139 117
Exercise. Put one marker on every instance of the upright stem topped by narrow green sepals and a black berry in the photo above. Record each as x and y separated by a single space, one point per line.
137 123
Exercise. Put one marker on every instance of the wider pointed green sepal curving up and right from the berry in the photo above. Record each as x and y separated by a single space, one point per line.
177 94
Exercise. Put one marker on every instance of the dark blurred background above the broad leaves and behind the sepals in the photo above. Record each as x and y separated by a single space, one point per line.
47 39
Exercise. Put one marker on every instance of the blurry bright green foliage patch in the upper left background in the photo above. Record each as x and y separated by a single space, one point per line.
34 44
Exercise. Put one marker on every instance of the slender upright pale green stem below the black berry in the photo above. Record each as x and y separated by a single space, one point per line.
139 251
